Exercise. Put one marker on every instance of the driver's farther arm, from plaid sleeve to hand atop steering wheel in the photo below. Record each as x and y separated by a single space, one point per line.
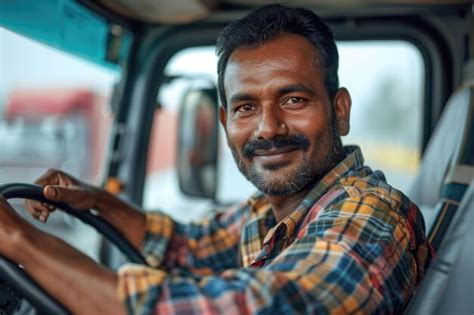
156 235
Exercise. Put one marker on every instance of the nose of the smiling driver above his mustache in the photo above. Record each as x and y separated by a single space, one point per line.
271 124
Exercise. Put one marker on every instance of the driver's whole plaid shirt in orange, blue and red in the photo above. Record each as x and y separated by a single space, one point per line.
353 245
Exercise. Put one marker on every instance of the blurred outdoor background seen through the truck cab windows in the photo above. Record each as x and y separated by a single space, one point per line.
55 113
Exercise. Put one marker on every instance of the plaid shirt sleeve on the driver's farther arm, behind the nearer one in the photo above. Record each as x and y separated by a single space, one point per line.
203 247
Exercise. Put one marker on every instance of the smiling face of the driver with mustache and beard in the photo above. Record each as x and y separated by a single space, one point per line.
280 123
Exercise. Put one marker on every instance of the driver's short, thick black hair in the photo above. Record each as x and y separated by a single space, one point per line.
267 23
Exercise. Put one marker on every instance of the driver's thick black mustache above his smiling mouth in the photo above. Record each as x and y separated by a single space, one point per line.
297 141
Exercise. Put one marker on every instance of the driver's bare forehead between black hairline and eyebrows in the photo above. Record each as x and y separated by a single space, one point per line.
289 57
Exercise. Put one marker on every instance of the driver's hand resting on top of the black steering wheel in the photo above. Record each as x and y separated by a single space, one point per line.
62 187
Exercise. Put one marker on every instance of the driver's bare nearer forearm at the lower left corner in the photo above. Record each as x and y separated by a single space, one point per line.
74 279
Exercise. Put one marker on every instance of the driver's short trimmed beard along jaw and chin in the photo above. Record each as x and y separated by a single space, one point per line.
327 153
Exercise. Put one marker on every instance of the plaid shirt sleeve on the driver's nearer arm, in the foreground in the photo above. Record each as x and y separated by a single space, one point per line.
356 257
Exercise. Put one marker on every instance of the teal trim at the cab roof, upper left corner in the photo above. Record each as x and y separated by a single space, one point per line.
65 25
